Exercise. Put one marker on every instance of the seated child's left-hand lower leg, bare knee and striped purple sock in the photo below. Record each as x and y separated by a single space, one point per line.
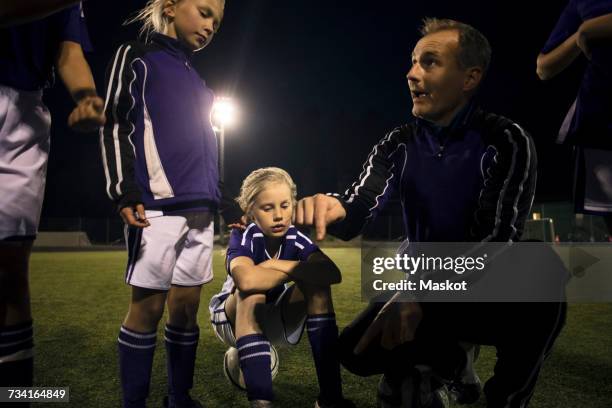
253 347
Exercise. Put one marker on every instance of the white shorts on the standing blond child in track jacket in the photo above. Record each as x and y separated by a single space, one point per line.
173 250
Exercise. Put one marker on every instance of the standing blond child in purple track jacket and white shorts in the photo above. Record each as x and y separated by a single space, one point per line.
161 164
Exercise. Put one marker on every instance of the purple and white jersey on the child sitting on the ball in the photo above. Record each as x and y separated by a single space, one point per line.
251 243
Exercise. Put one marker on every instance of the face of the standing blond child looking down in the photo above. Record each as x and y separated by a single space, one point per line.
195 21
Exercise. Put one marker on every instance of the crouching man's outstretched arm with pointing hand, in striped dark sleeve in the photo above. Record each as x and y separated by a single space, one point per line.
349 212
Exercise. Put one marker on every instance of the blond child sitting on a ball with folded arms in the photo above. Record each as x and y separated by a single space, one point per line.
257 307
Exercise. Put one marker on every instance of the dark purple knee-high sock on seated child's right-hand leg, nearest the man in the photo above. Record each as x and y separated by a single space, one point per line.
323 337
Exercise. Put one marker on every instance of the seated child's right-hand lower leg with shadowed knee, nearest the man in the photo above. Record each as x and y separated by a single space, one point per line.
323 337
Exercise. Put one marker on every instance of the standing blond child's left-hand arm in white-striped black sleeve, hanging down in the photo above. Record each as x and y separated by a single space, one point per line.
118 156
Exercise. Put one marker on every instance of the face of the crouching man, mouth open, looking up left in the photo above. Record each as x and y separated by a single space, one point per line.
436 80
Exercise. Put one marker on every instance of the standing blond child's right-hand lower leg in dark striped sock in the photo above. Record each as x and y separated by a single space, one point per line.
181 334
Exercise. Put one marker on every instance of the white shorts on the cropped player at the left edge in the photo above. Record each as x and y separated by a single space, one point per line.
24 149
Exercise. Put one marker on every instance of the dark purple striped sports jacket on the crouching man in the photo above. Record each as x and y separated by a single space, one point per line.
474 181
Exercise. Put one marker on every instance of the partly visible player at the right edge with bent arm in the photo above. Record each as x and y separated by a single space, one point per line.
585 28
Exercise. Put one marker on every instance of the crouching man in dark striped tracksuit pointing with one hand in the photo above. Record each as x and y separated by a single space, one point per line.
462 175
